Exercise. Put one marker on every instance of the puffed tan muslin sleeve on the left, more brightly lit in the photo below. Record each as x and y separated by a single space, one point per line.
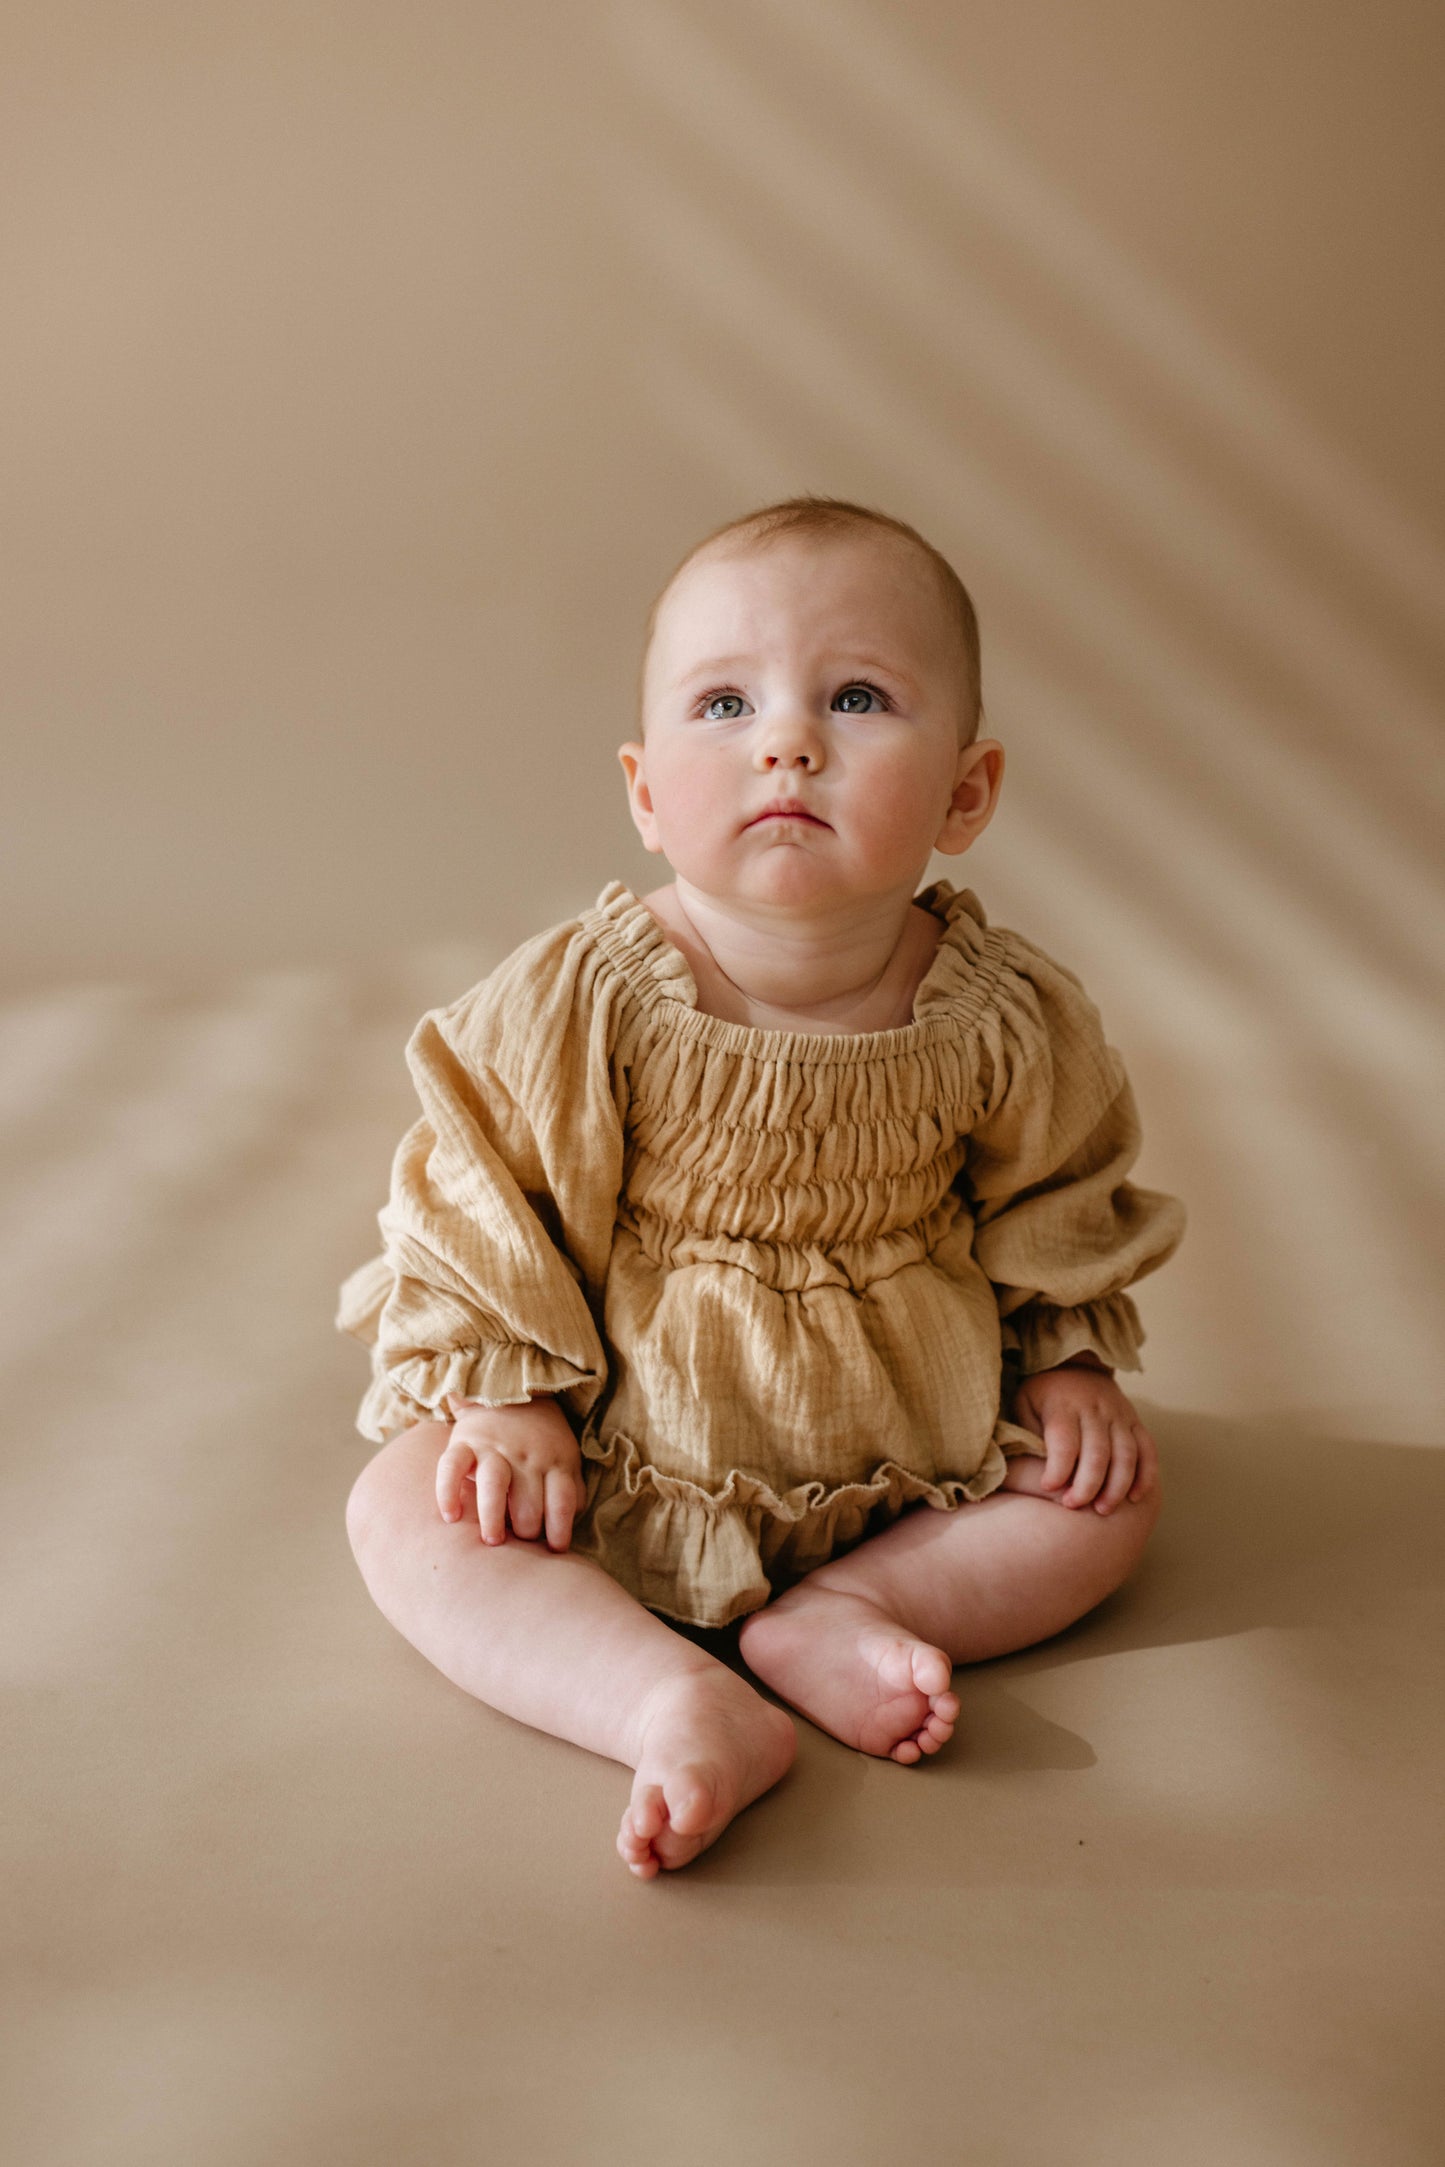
504 1197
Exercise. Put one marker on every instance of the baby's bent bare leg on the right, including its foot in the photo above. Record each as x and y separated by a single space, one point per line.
865 1646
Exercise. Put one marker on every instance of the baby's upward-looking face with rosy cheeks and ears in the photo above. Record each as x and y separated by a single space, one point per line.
822 671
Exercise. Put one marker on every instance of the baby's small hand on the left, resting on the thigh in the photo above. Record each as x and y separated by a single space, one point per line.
528 1470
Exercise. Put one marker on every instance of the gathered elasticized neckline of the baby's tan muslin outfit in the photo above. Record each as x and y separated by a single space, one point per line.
954 989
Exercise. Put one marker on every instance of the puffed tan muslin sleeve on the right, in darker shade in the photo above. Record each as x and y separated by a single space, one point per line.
1058 1228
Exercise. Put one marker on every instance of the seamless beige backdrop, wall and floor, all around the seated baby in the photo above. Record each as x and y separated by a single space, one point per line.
363 372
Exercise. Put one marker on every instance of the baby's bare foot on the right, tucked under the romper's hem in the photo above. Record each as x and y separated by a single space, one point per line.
855 1672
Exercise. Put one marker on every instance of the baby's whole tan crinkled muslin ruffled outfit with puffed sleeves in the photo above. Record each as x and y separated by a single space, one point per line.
781 1280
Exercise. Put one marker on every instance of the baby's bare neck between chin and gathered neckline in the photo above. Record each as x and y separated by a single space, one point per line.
855 972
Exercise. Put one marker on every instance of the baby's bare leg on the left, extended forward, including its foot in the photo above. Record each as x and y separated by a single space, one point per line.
549 1639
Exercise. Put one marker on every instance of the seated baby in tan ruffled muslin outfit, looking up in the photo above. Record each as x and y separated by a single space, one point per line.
761 1247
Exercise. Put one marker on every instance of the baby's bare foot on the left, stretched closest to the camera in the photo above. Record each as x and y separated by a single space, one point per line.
710 1748
